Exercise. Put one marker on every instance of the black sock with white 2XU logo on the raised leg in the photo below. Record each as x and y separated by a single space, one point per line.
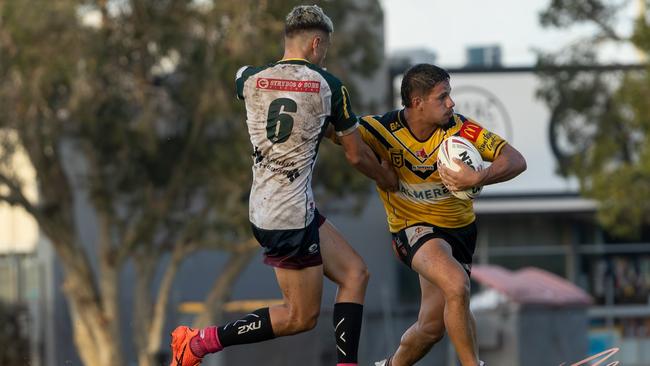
254 327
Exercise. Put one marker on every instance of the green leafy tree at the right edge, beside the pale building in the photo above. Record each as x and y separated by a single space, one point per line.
600 124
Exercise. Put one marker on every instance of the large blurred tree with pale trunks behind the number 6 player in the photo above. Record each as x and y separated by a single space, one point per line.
129 105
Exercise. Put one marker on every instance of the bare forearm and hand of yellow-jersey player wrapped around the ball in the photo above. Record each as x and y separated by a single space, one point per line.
509 164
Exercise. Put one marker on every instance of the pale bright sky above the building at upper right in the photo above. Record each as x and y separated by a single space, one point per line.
448 27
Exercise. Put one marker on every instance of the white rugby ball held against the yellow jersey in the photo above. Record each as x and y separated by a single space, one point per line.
461 148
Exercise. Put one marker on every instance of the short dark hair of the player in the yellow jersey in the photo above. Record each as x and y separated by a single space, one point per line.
419 80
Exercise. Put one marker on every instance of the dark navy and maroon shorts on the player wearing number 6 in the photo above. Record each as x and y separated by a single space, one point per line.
292 249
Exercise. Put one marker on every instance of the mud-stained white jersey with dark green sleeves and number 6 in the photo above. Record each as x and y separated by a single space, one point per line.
288 106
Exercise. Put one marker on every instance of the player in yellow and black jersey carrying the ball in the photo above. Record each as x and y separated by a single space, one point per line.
433 231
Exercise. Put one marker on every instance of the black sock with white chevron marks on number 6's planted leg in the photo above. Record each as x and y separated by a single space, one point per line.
347 329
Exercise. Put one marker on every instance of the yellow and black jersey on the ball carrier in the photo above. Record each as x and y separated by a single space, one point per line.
422 197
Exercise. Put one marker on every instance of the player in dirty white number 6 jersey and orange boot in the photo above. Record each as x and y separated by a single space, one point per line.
289 105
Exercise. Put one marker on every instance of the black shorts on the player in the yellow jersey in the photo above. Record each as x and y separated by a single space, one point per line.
462 240
